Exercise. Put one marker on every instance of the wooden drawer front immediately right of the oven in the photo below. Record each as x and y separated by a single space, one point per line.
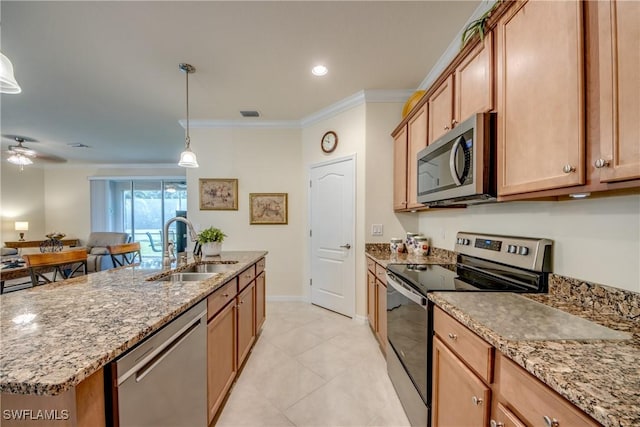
476 353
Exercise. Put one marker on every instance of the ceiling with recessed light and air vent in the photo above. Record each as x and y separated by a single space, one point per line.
105 74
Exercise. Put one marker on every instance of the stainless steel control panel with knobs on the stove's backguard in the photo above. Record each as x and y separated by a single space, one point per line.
523 252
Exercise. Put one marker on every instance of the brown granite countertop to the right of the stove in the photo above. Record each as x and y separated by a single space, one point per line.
599 376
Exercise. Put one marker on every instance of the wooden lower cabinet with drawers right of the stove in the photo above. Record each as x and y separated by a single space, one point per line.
471 387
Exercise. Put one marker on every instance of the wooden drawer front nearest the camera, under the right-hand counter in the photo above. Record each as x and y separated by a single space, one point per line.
532 400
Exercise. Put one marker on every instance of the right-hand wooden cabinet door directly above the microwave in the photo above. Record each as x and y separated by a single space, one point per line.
474 81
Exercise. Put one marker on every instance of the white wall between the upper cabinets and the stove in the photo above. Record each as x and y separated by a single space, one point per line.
596 240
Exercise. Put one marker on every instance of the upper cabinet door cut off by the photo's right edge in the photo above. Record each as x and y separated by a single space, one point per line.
619 84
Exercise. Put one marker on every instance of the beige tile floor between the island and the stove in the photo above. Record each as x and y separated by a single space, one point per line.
312 367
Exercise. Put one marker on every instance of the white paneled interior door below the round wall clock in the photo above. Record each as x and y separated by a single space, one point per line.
332 236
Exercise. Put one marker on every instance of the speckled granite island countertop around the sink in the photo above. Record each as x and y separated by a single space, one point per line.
54 336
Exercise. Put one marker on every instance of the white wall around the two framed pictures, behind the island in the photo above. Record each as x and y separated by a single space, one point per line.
263 161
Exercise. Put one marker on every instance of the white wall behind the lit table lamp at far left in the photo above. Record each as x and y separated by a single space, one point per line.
22 199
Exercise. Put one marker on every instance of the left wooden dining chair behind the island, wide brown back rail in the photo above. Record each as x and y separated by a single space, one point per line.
63 265
